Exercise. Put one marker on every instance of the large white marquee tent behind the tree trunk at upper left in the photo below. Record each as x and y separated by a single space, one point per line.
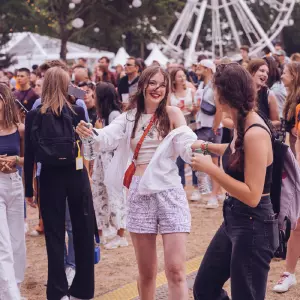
31 48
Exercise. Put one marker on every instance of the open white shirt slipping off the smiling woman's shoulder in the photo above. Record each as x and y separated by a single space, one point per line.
161 173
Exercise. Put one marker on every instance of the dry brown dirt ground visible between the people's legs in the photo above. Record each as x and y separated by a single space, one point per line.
118 267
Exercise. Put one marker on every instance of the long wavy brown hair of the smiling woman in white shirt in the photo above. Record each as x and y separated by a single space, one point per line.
138 101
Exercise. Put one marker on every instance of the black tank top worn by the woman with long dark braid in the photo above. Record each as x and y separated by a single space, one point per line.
239 175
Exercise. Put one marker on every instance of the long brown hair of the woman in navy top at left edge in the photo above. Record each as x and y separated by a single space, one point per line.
11 115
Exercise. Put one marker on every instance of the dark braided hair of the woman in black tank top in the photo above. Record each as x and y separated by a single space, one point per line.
235 87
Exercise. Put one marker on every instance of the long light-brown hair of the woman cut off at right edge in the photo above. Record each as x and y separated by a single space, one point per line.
293 97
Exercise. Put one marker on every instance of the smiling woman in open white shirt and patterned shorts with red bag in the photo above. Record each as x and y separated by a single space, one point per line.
157 134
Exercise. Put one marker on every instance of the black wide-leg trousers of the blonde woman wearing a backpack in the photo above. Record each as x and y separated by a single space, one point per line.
57 185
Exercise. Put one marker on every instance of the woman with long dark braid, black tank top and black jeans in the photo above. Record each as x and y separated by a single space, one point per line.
244 245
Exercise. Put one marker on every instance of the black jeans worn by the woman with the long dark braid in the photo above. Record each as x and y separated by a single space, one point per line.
242 250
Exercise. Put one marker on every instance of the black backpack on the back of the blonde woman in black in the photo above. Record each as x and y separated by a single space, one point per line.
54 139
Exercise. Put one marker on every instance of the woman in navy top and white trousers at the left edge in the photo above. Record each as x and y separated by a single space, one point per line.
12 231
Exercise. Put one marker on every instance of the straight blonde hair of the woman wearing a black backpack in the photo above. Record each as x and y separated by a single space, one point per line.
55 91
